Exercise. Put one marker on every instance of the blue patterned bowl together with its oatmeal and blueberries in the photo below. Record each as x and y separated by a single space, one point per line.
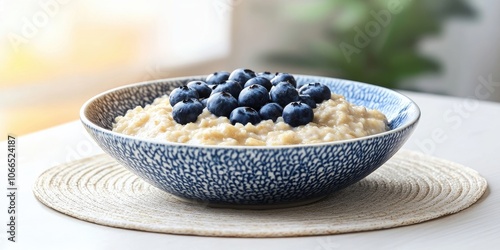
224 151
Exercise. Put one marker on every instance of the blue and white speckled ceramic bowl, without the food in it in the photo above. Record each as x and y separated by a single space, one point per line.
250 176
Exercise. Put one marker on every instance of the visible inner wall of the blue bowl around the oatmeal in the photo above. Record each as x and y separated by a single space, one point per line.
102 109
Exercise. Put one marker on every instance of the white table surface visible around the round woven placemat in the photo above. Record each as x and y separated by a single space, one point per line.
465 131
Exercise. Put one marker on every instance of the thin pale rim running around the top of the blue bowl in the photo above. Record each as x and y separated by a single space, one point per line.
88 123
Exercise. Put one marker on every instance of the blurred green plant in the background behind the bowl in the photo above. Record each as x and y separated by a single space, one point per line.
372 41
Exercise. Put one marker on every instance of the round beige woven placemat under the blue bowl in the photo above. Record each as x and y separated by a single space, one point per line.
408 189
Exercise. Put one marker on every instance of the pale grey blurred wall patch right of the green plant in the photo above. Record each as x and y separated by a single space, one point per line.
470 53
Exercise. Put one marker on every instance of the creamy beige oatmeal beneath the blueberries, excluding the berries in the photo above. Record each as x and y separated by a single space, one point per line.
334 119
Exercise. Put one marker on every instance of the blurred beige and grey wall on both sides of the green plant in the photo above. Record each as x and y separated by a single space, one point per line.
467 49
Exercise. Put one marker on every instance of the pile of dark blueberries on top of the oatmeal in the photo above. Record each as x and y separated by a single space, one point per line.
244 96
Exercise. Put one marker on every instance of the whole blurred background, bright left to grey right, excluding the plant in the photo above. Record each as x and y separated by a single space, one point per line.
55 54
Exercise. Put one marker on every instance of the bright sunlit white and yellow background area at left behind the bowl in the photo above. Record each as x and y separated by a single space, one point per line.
56 54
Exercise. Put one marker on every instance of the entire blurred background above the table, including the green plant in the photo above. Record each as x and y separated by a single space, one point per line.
56 54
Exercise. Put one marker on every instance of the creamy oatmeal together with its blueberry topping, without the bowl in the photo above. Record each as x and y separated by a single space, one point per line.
243 108
